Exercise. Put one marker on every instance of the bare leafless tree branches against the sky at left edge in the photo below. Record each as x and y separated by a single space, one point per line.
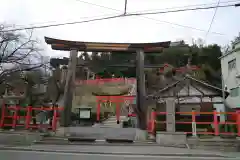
18 52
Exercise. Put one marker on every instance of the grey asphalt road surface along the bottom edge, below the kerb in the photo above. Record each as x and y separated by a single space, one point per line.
36 155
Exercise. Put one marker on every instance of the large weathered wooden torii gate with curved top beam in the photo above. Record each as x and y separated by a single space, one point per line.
138 48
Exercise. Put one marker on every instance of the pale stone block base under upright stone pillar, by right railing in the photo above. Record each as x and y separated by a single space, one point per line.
171 138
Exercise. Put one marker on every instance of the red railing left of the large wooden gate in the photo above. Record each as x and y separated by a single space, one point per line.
27 118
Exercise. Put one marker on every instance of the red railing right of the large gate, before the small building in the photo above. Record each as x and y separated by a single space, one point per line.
153 122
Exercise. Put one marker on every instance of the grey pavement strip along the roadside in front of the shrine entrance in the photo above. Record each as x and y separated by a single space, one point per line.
119 150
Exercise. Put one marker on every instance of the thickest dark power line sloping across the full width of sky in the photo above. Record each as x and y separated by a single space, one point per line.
121 15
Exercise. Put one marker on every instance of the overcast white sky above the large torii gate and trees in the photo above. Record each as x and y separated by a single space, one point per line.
151 28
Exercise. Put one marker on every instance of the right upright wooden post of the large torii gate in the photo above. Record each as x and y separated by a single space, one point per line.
141 93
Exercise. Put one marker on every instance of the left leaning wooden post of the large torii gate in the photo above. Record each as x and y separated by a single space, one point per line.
69 89
